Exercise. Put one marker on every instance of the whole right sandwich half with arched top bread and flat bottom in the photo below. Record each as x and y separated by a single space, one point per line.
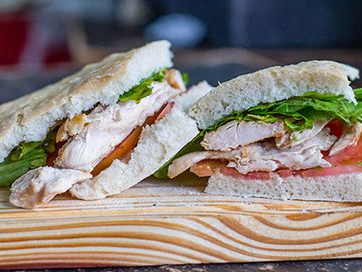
290 132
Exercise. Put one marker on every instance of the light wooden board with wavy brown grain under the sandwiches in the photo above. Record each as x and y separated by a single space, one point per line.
158 223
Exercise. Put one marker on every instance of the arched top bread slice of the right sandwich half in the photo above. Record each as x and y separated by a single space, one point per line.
271 85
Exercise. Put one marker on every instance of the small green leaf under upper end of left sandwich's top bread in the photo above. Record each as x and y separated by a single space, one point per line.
143 89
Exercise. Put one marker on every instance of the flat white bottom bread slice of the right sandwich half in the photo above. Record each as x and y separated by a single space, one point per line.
341 188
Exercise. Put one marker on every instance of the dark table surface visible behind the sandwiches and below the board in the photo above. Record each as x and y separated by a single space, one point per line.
212 65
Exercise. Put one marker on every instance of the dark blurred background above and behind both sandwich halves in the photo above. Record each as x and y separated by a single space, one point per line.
43 40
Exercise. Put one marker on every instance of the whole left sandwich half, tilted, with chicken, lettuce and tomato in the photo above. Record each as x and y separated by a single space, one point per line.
99 131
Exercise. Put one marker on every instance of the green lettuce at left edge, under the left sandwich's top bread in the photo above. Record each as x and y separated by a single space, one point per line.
25 157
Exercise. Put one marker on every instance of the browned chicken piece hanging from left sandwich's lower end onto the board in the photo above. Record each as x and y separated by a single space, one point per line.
41 185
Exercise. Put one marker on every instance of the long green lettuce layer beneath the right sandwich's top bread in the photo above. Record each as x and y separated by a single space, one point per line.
297 113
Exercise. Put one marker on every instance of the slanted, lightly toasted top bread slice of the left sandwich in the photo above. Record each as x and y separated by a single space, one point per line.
29 118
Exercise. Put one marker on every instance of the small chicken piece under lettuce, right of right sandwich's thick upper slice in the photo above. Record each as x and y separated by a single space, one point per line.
297 137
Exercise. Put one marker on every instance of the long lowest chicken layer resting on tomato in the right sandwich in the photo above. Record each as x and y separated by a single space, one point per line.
260 157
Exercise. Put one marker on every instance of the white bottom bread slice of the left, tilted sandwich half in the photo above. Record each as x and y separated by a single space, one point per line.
158 143
